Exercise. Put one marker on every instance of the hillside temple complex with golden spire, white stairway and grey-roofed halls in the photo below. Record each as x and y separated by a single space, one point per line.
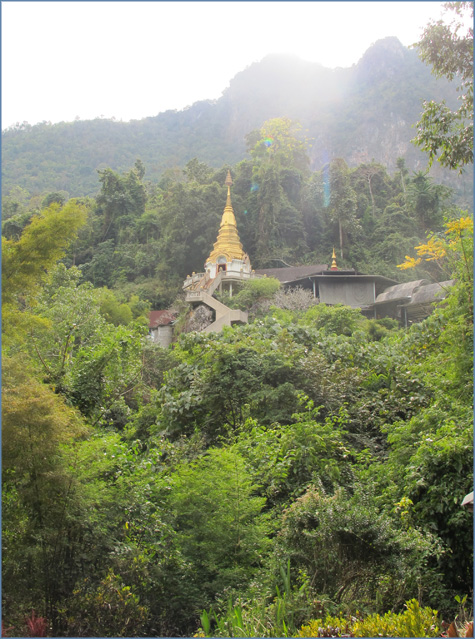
228 266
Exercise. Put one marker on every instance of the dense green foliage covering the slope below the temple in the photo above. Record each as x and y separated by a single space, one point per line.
309 462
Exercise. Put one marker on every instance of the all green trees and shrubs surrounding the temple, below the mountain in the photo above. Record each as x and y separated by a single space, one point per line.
300 475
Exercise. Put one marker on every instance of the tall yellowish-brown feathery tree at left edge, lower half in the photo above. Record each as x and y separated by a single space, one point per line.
41 532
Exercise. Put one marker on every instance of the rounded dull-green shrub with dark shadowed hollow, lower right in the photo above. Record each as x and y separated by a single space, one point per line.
353 552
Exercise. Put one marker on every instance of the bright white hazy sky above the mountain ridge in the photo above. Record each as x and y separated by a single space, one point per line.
129 60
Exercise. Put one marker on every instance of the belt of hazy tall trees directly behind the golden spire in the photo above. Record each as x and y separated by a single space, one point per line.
142 239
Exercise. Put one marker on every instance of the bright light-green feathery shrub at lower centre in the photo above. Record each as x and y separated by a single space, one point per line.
218 522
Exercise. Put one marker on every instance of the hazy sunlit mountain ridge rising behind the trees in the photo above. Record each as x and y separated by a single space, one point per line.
360 113
